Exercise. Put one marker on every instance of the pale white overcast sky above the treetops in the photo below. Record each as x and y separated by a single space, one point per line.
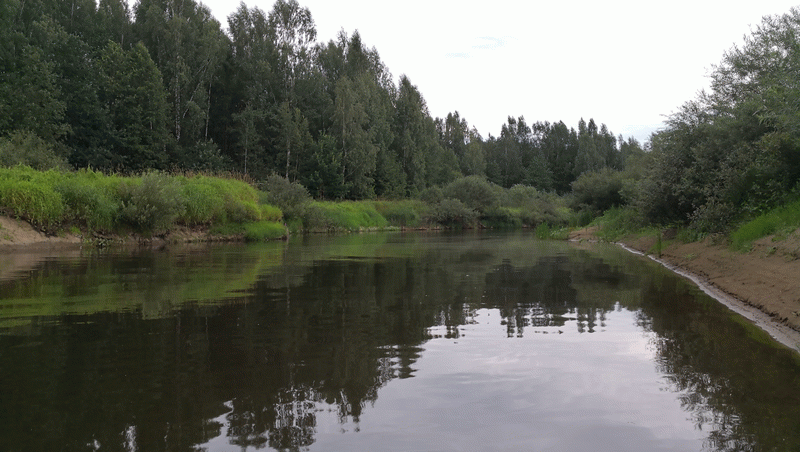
627 64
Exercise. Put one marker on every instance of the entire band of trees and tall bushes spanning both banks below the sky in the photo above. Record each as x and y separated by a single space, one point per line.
162 85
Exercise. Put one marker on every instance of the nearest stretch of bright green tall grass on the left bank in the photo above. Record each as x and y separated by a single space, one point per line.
152 203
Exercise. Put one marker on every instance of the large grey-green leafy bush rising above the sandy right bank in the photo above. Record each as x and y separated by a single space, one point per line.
731 153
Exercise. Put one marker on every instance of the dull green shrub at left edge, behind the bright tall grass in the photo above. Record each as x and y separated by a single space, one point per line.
25 148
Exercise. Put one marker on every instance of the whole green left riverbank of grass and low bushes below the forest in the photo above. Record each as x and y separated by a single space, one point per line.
94 205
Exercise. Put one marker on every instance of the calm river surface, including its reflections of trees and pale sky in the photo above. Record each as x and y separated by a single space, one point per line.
381 342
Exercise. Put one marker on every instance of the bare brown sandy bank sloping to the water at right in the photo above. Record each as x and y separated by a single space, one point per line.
762 284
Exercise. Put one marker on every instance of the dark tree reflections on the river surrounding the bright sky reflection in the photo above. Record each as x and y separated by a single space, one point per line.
323 335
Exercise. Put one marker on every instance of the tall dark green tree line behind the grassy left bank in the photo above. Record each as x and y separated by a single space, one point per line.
162 86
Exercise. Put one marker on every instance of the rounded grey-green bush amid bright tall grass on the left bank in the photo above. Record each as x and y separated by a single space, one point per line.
152 203
